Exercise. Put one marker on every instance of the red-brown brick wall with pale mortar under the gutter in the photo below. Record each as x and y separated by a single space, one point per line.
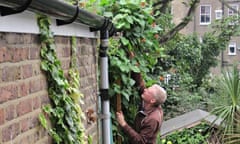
23 86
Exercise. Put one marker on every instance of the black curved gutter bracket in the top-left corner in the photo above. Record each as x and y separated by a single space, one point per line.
9 11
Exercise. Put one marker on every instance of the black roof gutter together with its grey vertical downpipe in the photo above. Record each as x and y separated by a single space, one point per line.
66 14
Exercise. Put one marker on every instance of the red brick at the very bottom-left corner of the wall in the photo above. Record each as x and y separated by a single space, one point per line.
10 132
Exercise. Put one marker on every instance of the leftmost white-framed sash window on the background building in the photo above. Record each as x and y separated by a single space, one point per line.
205 14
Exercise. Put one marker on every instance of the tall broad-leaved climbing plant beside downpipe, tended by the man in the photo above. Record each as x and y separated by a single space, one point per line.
138 36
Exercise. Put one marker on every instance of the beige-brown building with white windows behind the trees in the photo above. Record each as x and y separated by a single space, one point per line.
205 14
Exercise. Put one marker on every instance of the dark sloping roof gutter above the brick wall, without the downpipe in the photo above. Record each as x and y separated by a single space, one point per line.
63 12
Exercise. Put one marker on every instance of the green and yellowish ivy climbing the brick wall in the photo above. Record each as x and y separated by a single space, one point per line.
64 111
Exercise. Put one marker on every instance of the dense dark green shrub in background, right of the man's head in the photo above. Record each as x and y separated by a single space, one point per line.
192 58
